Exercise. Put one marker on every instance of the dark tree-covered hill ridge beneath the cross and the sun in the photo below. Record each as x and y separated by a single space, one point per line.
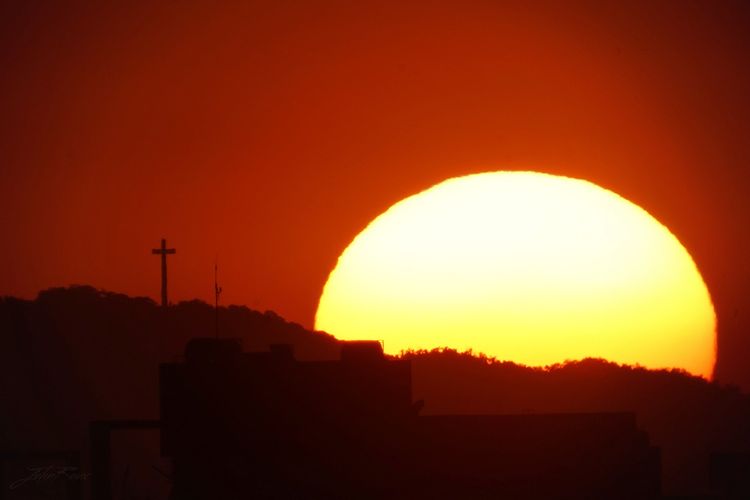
78 354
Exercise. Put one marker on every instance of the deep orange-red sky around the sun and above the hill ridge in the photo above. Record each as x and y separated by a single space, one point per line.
266 135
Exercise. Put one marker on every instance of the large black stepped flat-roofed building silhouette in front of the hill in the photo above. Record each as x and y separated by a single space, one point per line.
265 425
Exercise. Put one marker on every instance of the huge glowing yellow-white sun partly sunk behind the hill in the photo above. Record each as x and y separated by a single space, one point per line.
526 267
